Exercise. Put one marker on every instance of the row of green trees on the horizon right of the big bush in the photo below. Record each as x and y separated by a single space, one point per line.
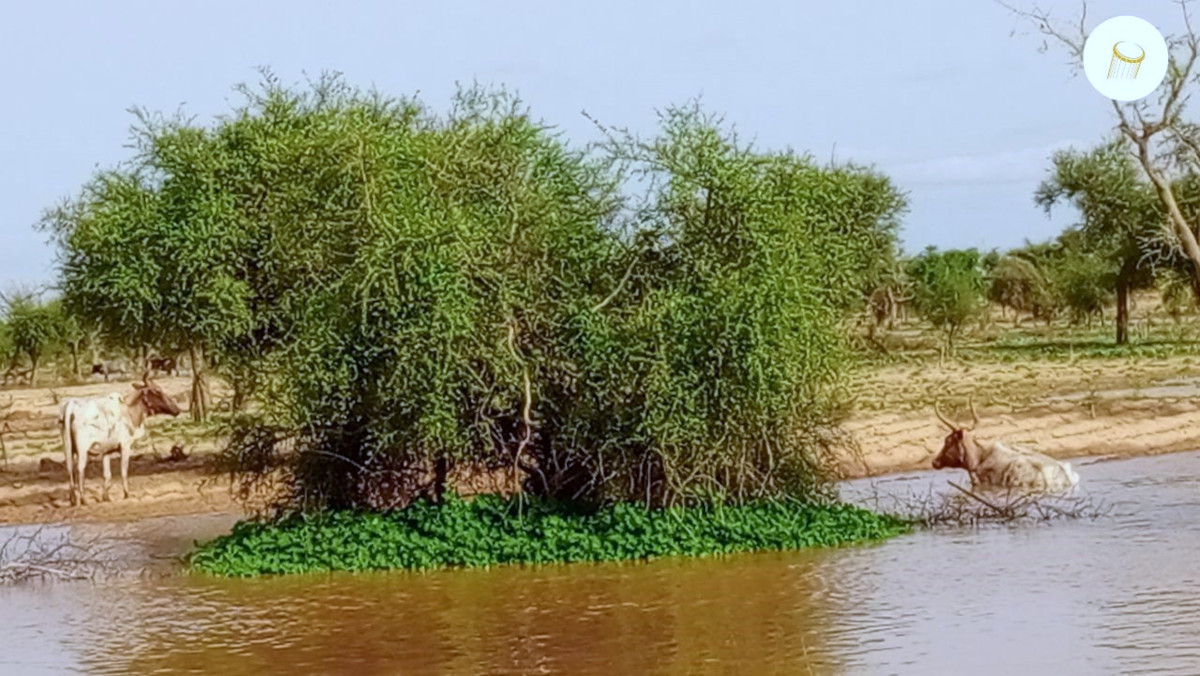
1123 244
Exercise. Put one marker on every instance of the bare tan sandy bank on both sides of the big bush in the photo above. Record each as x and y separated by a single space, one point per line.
1063 410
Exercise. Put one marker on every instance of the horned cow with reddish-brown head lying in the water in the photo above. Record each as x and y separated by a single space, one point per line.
1000 466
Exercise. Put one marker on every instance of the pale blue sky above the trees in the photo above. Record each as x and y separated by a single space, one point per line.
951 99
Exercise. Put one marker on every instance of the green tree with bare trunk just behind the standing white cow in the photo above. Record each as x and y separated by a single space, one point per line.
151 254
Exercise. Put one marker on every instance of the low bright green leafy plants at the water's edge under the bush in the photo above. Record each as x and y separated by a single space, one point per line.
490 530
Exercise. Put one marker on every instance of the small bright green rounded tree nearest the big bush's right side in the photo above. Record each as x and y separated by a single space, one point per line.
949 288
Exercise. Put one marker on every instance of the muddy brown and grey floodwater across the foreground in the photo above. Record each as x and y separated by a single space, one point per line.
1118 595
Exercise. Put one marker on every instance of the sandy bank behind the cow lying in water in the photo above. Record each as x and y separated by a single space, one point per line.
1065 410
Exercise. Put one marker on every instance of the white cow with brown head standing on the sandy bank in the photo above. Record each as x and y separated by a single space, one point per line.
107 424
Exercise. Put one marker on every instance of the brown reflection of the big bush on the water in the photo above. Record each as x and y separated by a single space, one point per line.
665 618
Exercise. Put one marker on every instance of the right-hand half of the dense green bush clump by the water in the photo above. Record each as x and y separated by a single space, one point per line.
710 379
